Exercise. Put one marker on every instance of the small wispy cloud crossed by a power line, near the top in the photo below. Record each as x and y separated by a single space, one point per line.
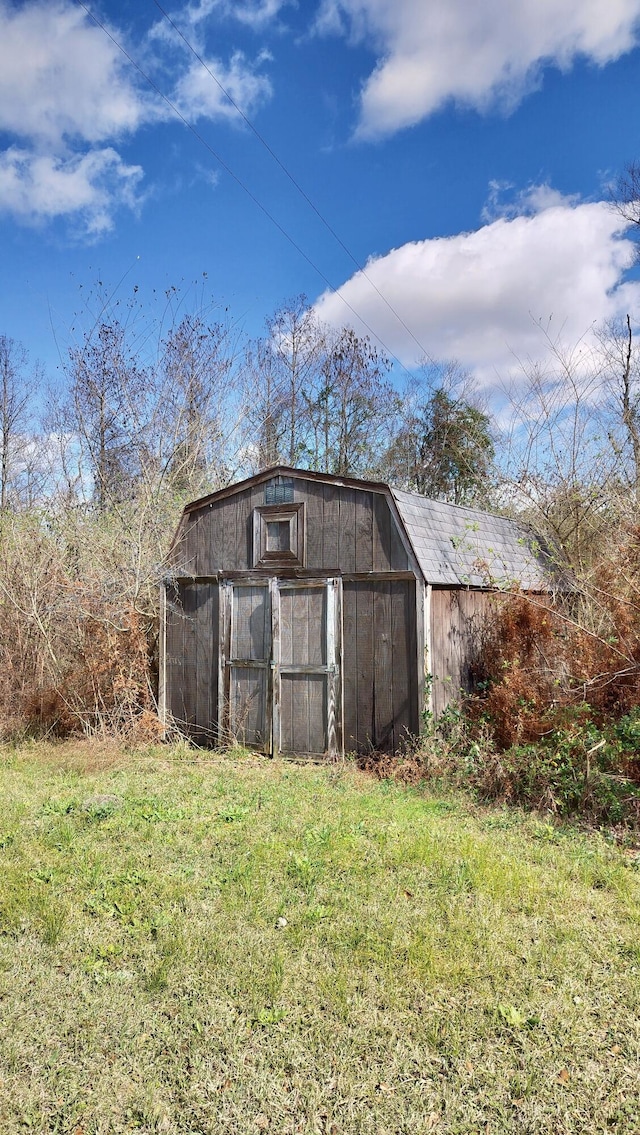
198 96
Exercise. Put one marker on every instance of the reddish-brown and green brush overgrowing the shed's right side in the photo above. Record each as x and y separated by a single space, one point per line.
558 696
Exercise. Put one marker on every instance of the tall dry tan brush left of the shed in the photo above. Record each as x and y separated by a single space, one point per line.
79 626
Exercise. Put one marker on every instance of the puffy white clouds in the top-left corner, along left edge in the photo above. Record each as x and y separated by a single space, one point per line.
65 89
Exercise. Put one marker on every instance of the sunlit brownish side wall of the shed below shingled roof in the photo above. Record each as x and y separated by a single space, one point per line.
457 617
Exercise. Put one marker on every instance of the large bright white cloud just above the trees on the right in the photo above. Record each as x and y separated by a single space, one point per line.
483 298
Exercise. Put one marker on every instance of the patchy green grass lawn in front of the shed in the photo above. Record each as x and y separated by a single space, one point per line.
238 946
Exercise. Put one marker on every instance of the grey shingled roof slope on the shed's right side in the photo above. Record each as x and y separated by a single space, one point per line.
456 545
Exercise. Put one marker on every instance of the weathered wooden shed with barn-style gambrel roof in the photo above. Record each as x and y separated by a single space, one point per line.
313 616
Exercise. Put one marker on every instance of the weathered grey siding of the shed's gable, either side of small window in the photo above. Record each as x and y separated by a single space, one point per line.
348 531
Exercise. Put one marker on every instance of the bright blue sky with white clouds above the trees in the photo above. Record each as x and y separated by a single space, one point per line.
434 173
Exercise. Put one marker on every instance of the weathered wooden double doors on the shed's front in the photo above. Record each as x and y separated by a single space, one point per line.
280 661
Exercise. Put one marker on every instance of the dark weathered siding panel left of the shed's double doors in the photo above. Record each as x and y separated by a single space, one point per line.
192 659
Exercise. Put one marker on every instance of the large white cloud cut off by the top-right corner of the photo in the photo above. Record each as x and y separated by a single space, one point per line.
477 54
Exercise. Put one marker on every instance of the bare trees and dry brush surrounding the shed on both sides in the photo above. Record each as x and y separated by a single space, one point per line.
89 501
